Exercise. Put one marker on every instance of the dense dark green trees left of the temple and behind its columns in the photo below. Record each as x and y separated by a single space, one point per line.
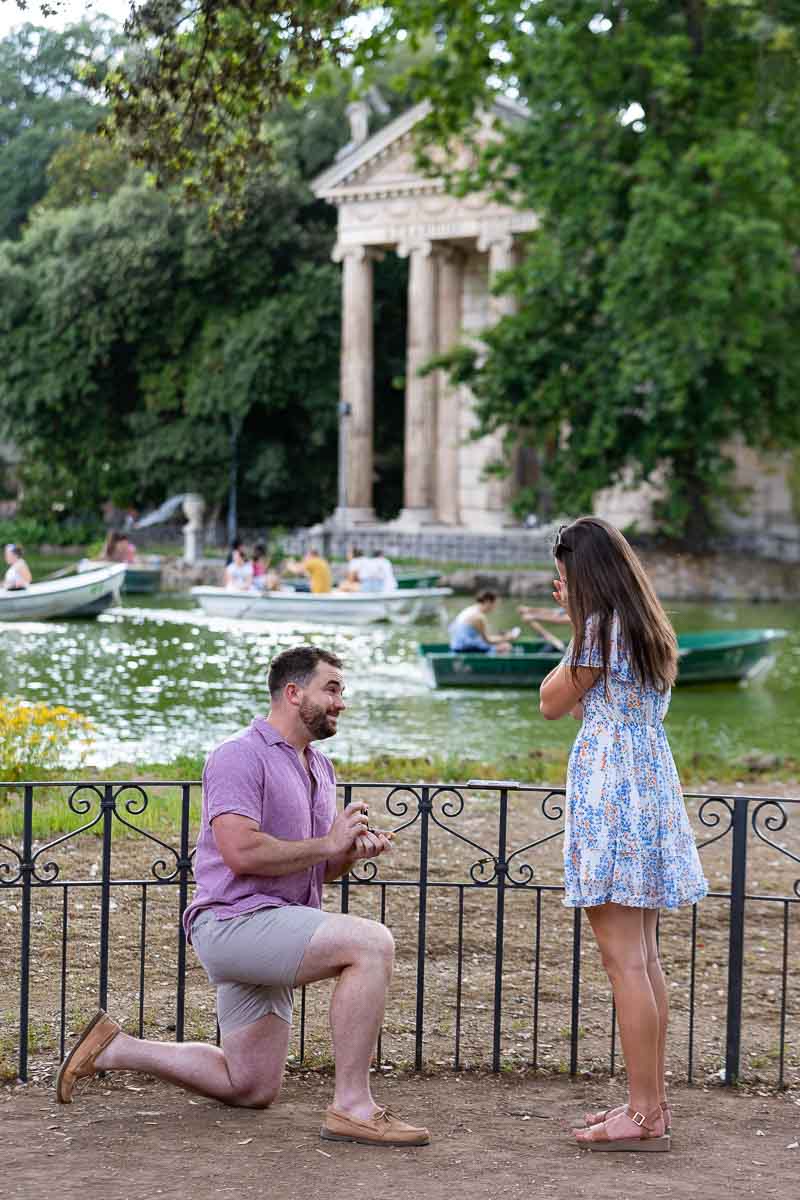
140 345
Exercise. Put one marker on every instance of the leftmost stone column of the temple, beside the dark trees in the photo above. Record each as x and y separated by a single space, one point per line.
357 400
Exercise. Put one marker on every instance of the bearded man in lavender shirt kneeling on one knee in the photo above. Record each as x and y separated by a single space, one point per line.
270 839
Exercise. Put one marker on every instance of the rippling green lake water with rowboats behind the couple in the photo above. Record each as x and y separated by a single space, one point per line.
161 680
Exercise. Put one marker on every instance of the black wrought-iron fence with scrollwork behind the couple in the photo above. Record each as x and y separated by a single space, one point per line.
492 969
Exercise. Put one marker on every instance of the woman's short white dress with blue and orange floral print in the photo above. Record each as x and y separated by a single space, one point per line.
628 838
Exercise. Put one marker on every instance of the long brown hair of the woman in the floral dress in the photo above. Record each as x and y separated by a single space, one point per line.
605 579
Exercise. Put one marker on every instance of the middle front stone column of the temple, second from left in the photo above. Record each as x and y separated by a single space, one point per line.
419 479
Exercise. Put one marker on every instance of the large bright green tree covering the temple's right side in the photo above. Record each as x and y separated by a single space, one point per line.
660 298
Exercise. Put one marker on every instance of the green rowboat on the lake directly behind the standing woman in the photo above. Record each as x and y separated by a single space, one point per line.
713 657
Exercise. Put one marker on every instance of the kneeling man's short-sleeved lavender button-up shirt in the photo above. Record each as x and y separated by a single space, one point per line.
258 775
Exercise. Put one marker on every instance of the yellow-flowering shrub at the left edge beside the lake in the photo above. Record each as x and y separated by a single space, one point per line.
35 736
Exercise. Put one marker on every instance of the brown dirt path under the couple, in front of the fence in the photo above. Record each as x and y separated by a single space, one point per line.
133 1138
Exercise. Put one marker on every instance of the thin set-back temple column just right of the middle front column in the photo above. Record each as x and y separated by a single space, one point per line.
452 271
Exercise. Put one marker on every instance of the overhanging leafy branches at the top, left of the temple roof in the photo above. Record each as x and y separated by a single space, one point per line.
194 103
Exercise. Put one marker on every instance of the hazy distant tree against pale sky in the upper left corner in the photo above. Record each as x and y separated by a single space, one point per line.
45 103
